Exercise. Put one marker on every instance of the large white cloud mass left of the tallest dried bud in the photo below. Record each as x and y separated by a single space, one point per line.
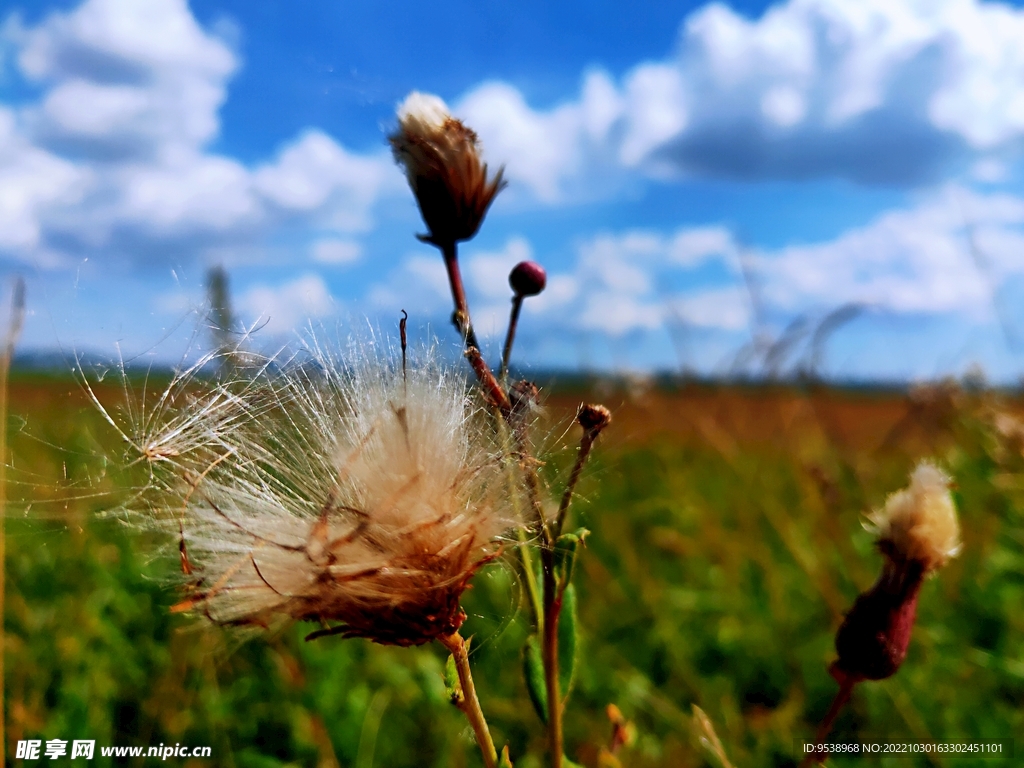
114 158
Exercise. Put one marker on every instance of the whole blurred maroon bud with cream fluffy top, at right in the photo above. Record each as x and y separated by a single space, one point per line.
918 534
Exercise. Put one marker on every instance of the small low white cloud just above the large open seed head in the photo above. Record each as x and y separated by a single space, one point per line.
281 310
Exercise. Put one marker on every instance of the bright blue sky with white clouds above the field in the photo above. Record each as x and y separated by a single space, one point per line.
697 179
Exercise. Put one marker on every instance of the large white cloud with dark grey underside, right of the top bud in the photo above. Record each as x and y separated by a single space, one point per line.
873 91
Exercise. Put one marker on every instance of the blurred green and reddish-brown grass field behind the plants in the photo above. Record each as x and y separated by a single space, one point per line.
727 547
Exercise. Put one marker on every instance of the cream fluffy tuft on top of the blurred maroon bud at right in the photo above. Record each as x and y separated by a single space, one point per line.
920 523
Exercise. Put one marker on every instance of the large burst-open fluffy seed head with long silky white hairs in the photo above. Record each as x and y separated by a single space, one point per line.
363 496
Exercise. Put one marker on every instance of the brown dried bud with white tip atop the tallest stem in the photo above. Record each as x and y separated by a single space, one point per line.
442 160
